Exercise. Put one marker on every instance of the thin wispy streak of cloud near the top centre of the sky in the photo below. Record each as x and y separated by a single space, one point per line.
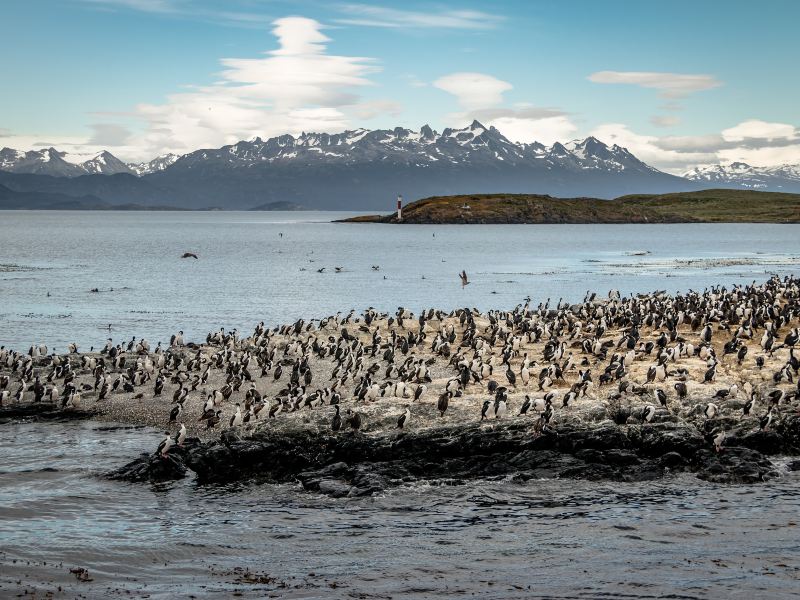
379 16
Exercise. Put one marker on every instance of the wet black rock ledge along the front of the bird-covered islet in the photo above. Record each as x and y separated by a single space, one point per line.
355 464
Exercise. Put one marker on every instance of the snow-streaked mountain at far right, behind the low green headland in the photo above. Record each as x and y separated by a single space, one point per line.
784 178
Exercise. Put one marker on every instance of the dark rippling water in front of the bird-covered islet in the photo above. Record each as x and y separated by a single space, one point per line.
678 537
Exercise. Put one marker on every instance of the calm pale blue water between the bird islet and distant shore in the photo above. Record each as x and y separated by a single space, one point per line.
263 266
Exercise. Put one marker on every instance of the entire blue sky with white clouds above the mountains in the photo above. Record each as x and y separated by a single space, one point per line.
680 84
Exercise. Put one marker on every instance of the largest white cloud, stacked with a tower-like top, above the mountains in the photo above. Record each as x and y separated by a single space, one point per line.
297 87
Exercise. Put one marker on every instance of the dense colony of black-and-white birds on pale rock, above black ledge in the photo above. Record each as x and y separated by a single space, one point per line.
714 358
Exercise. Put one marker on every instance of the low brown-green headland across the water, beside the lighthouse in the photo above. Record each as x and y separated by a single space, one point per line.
706 206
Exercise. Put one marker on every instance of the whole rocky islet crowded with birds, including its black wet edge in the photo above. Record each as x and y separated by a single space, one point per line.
374 364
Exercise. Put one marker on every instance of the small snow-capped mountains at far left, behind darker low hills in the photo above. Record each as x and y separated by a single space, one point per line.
59 164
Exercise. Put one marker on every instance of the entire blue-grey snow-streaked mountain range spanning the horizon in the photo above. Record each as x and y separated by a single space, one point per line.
364 170
